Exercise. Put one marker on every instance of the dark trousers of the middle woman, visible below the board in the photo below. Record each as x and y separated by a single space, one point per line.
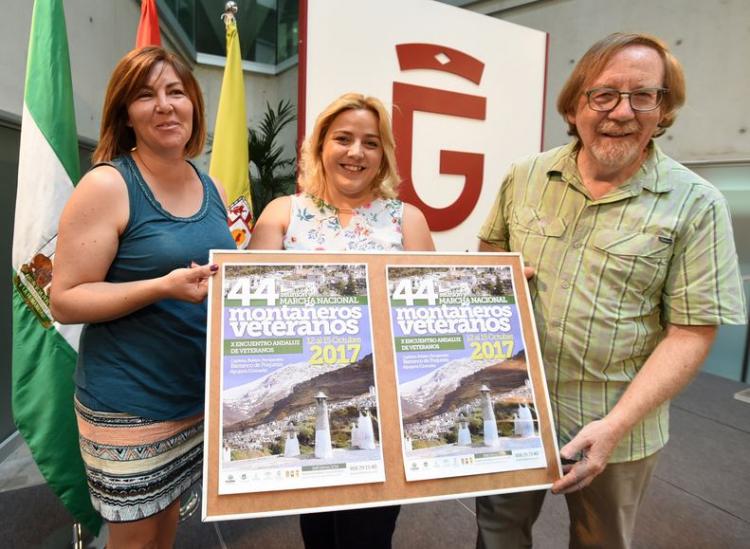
353 529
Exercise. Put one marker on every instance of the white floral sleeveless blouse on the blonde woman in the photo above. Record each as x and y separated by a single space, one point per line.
314 225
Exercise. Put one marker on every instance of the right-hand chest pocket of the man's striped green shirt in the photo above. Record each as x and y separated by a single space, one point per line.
637 260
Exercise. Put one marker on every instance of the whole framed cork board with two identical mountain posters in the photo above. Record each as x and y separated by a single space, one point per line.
341 380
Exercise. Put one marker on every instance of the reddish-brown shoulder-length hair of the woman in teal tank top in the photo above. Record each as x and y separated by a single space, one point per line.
128 77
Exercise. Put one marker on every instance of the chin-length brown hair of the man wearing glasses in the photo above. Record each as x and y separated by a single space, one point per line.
596 58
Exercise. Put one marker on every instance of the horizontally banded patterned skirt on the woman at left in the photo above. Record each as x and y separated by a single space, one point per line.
135 466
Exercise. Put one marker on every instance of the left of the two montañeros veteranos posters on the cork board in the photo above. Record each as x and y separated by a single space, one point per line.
298 400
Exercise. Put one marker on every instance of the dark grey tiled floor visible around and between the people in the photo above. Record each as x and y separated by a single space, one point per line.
699 497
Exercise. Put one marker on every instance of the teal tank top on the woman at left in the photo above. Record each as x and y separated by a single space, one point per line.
151 363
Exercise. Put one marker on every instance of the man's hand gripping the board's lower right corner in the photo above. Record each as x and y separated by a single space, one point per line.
595 442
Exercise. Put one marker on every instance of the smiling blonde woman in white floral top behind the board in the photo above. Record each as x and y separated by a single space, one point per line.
348 178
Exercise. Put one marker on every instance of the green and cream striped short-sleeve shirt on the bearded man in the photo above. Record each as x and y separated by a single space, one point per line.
612 273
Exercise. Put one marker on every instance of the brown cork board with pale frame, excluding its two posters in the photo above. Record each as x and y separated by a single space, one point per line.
395 489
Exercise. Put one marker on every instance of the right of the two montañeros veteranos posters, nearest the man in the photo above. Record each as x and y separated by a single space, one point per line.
466 400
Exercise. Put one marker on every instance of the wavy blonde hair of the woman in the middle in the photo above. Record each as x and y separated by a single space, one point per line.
312 176
